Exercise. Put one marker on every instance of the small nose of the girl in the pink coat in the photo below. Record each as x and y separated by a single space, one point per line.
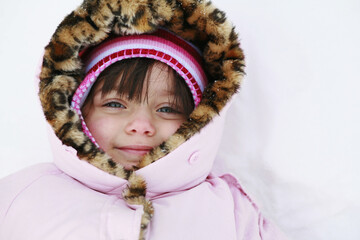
140 123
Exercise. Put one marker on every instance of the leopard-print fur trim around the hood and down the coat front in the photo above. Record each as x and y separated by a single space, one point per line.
199 22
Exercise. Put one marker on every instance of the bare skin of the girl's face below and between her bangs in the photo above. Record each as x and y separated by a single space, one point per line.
127 130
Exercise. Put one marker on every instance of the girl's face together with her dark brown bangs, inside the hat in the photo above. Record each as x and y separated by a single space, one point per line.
135 105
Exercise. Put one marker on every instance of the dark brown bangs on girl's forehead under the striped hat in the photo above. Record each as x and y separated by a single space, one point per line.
132 75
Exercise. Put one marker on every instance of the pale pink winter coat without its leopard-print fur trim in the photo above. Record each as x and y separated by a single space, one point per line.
72 199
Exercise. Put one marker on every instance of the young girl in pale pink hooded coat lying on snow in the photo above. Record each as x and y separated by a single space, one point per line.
137 113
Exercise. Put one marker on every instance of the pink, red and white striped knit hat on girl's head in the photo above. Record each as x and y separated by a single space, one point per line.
161 45
